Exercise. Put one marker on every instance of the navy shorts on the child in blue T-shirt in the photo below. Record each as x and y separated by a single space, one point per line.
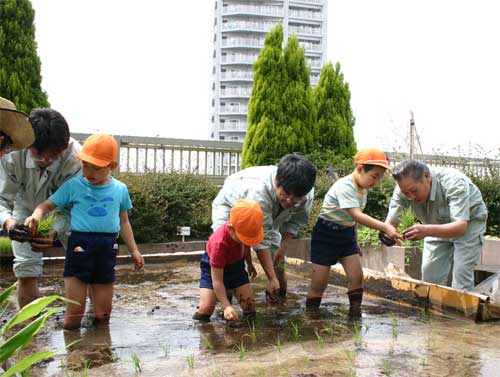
91 257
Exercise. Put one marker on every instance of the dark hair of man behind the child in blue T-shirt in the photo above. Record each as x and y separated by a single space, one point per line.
51 130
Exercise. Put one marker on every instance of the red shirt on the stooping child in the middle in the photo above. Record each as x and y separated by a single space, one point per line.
223 250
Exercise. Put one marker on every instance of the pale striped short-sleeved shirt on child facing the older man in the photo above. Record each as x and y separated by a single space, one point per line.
345 193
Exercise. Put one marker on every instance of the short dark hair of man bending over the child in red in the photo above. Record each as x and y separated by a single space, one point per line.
296 174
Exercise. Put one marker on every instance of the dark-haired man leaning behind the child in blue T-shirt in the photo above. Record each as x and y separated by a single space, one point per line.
27 178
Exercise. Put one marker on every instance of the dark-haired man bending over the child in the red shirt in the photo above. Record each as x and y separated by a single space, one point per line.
285 193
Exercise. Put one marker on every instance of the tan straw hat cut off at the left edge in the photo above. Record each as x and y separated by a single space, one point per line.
16 125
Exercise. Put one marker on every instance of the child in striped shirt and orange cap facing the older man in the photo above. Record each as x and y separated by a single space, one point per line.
334 235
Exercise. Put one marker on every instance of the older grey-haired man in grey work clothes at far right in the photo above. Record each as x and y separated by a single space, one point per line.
453 214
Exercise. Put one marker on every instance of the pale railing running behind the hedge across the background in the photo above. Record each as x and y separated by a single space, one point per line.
217 159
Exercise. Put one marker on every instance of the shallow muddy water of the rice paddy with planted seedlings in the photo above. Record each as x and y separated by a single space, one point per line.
152 319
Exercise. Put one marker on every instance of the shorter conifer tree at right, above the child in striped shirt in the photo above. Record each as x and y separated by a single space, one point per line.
335 120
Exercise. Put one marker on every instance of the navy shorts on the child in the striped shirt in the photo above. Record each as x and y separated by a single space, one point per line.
331 242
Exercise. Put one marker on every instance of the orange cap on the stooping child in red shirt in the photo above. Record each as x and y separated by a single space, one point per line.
246 217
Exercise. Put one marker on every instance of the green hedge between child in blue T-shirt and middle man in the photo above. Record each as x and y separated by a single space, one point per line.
164 201
